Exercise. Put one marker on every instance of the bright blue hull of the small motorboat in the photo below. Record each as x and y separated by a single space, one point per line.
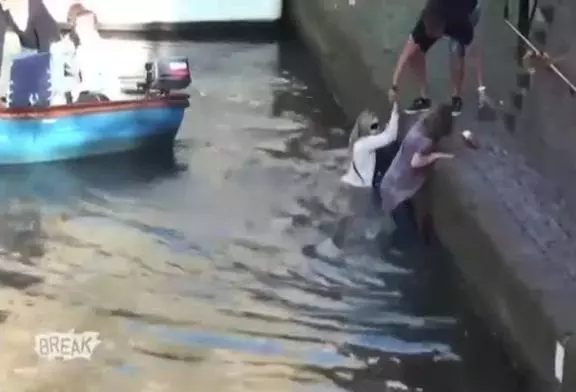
47 139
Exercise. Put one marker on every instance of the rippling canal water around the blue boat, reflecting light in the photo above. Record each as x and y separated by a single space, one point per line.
207 271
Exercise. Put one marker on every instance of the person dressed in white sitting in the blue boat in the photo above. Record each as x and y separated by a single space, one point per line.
97 80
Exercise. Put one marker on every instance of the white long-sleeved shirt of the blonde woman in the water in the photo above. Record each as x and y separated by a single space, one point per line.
363 164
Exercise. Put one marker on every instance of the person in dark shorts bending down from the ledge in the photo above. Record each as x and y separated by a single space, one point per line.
455 19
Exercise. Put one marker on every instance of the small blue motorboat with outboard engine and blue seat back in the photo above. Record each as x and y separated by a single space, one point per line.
33 129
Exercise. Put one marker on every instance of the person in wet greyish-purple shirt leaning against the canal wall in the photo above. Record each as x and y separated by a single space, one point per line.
418 152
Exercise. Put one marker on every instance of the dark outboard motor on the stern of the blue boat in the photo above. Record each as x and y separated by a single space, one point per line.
165 75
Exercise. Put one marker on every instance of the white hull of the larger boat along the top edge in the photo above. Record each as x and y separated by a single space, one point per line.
138 14
